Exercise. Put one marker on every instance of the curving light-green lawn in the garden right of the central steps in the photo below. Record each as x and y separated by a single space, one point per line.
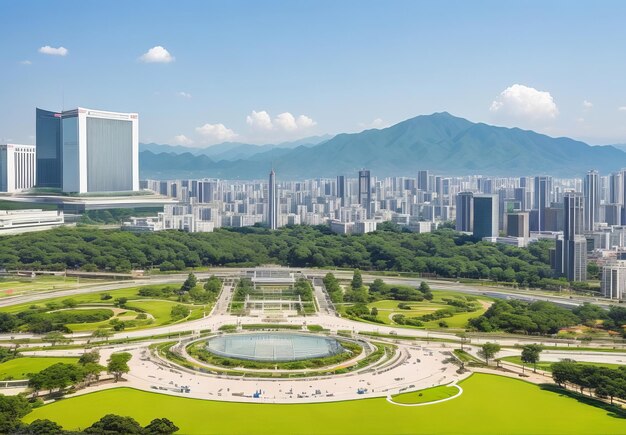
388 308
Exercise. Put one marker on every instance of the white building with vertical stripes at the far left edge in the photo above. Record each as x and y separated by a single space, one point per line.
17 167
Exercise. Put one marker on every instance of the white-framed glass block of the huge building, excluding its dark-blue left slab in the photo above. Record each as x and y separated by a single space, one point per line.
100 151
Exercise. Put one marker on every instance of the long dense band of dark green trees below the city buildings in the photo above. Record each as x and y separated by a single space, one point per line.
445 252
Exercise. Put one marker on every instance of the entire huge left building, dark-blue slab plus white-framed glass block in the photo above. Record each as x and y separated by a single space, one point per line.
85 150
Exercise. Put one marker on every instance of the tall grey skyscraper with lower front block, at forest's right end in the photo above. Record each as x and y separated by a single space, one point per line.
571 248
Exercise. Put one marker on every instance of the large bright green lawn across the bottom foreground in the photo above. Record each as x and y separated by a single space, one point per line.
490 404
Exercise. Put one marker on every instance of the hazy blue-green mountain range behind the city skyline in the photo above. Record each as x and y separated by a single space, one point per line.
439 142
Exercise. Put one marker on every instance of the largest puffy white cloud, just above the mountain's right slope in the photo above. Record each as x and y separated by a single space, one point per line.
525 103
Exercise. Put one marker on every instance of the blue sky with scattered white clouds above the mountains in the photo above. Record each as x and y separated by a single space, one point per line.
267 71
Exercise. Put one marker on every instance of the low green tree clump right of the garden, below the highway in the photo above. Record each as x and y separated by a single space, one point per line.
544 318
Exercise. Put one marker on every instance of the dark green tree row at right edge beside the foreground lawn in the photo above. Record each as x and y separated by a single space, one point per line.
603 382
